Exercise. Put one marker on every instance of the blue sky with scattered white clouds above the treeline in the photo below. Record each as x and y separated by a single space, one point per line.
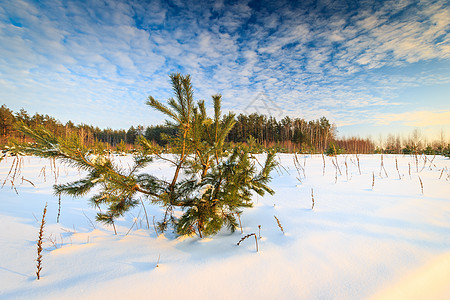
371 67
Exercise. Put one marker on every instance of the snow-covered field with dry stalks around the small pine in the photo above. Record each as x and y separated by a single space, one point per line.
389 241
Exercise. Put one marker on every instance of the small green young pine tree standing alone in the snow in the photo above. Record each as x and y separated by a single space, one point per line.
210 184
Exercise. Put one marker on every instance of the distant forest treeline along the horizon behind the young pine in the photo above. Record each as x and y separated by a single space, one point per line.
258 131
